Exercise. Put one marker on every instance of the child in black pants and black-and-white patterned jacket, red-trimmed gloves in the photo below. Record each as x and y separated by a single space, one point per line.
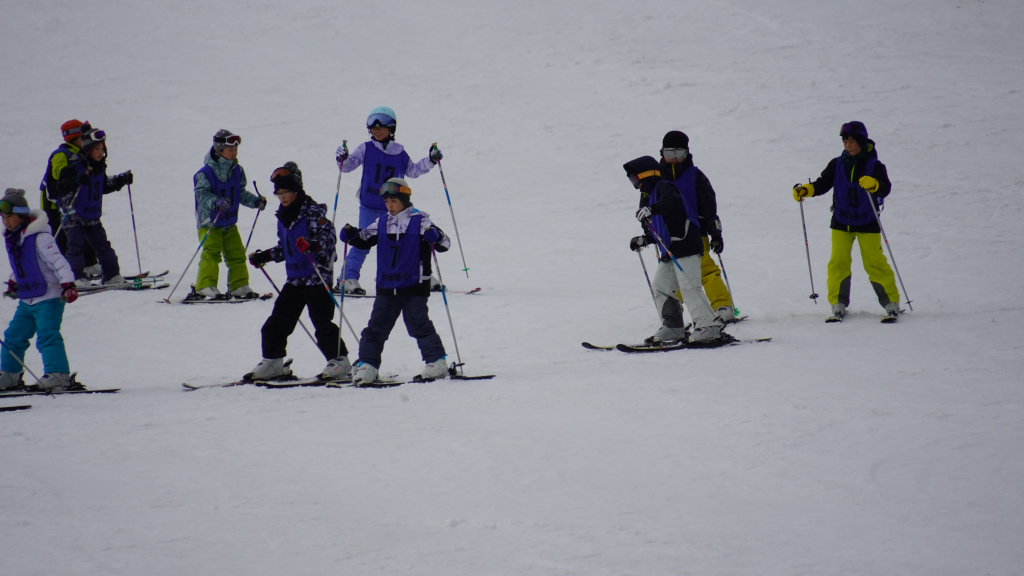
307 245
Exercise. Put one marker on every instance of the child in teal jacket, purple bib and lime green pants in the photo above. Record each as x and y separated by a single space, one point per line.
221 189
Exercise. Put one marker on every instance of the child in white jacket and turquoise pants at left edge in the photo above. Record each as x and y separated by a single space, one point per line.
44 282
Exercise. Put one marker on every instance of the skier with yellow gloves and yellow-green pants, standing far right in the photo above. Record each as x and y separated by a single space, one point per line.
861 185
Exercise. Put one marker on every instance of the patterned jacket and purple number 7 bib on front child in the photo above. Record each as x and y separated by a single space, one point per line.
397 228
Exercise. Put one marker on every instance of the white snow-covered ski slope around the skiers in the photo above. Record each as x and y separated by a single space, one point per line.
858 448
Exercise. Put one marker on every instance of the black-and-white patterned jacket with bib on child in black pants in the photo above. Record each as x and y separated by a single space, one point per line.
312 218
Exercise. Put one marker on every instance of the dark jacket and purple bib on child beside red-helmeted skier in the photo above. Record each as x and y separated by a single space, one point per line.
83 204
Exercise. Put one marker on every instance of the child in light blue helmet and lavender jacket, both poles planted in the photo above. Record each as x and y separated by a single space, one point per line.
385 159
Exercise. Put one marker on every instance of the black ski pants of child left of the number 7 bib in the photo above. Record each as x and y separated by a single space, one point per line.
288 309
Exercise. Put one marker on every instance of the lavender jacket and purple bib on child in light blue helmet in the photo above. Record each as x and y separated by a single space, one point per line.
376 174
